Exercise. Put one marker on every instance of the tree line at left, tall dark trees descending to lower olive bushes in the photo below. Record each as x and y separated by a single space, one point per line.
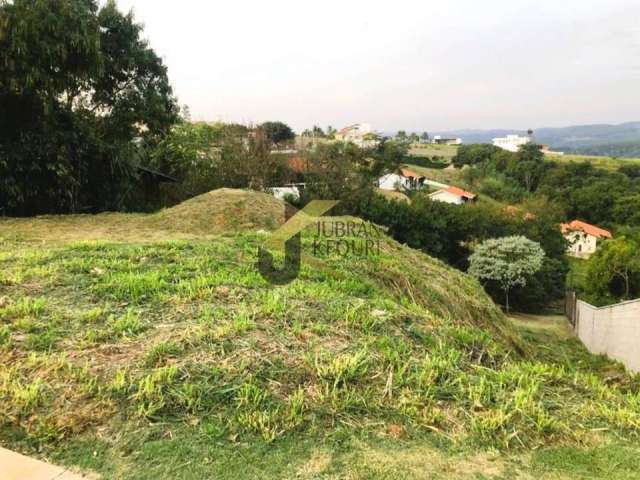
89 121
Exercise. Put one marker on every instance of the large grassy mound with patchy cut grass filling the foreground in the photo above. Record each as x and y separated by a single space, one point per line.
166 355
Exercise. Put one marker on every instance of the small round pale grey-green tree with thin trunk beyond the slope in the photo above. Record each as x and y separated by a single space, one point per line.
508 261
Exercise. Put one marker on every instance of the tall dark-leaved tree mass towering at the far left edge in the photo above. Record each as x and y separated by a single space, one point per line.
80 93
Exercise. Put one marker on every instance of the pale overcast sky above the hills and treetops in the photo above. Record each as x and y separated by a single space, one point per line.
414 65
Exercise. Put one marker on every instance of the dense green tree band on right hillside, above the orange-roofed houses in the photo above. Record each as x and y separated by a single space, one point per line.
579 189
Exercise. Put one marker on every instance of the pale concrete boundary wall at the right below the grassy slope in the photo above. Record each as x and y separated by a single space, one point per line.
612 330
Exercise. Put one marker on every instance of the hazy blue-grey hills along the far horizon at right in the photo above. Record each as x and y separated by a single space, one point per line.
621 140
